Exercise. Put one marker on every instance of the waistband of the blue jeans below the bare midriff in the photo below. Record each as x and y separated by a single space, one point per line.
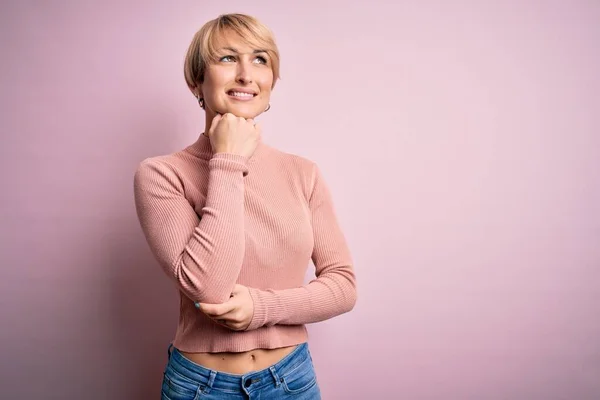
235 383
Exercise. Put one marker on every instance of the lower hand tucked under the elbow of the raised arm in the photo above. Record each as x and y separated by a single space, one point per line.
236 313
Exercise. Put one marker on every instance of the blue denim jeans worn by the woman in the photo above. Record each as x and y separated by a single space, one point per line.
293 377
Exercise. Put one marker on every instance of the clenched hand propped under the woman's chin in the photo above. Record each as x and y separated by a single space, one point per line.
235 135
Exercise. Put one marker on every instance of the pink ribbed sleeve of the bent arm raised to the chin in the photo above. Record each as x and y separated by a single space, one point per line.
201 250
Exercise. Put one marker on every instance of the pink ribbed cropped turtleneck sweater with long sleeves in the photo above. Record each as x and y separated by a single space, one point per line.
214 220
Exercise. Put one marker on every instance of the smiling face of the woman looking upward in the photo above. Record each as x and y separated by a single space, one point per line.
239 82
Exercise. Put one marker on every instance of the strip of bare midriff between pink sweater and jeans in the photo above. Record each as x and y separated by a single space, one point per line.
239 363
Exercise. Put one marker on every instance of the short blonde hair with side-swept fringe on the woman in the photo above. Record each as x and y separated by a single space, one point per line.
202 51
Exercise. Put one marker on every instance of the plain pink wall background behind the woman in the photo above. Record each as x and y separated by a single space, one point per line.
460 140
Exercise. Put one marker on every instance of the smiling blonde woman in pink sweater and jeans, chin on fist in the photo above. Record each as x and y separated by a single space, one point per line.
235 223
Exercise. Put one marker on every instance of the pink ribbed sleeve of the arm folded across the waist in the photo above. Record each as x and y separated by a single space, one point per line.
332 292
